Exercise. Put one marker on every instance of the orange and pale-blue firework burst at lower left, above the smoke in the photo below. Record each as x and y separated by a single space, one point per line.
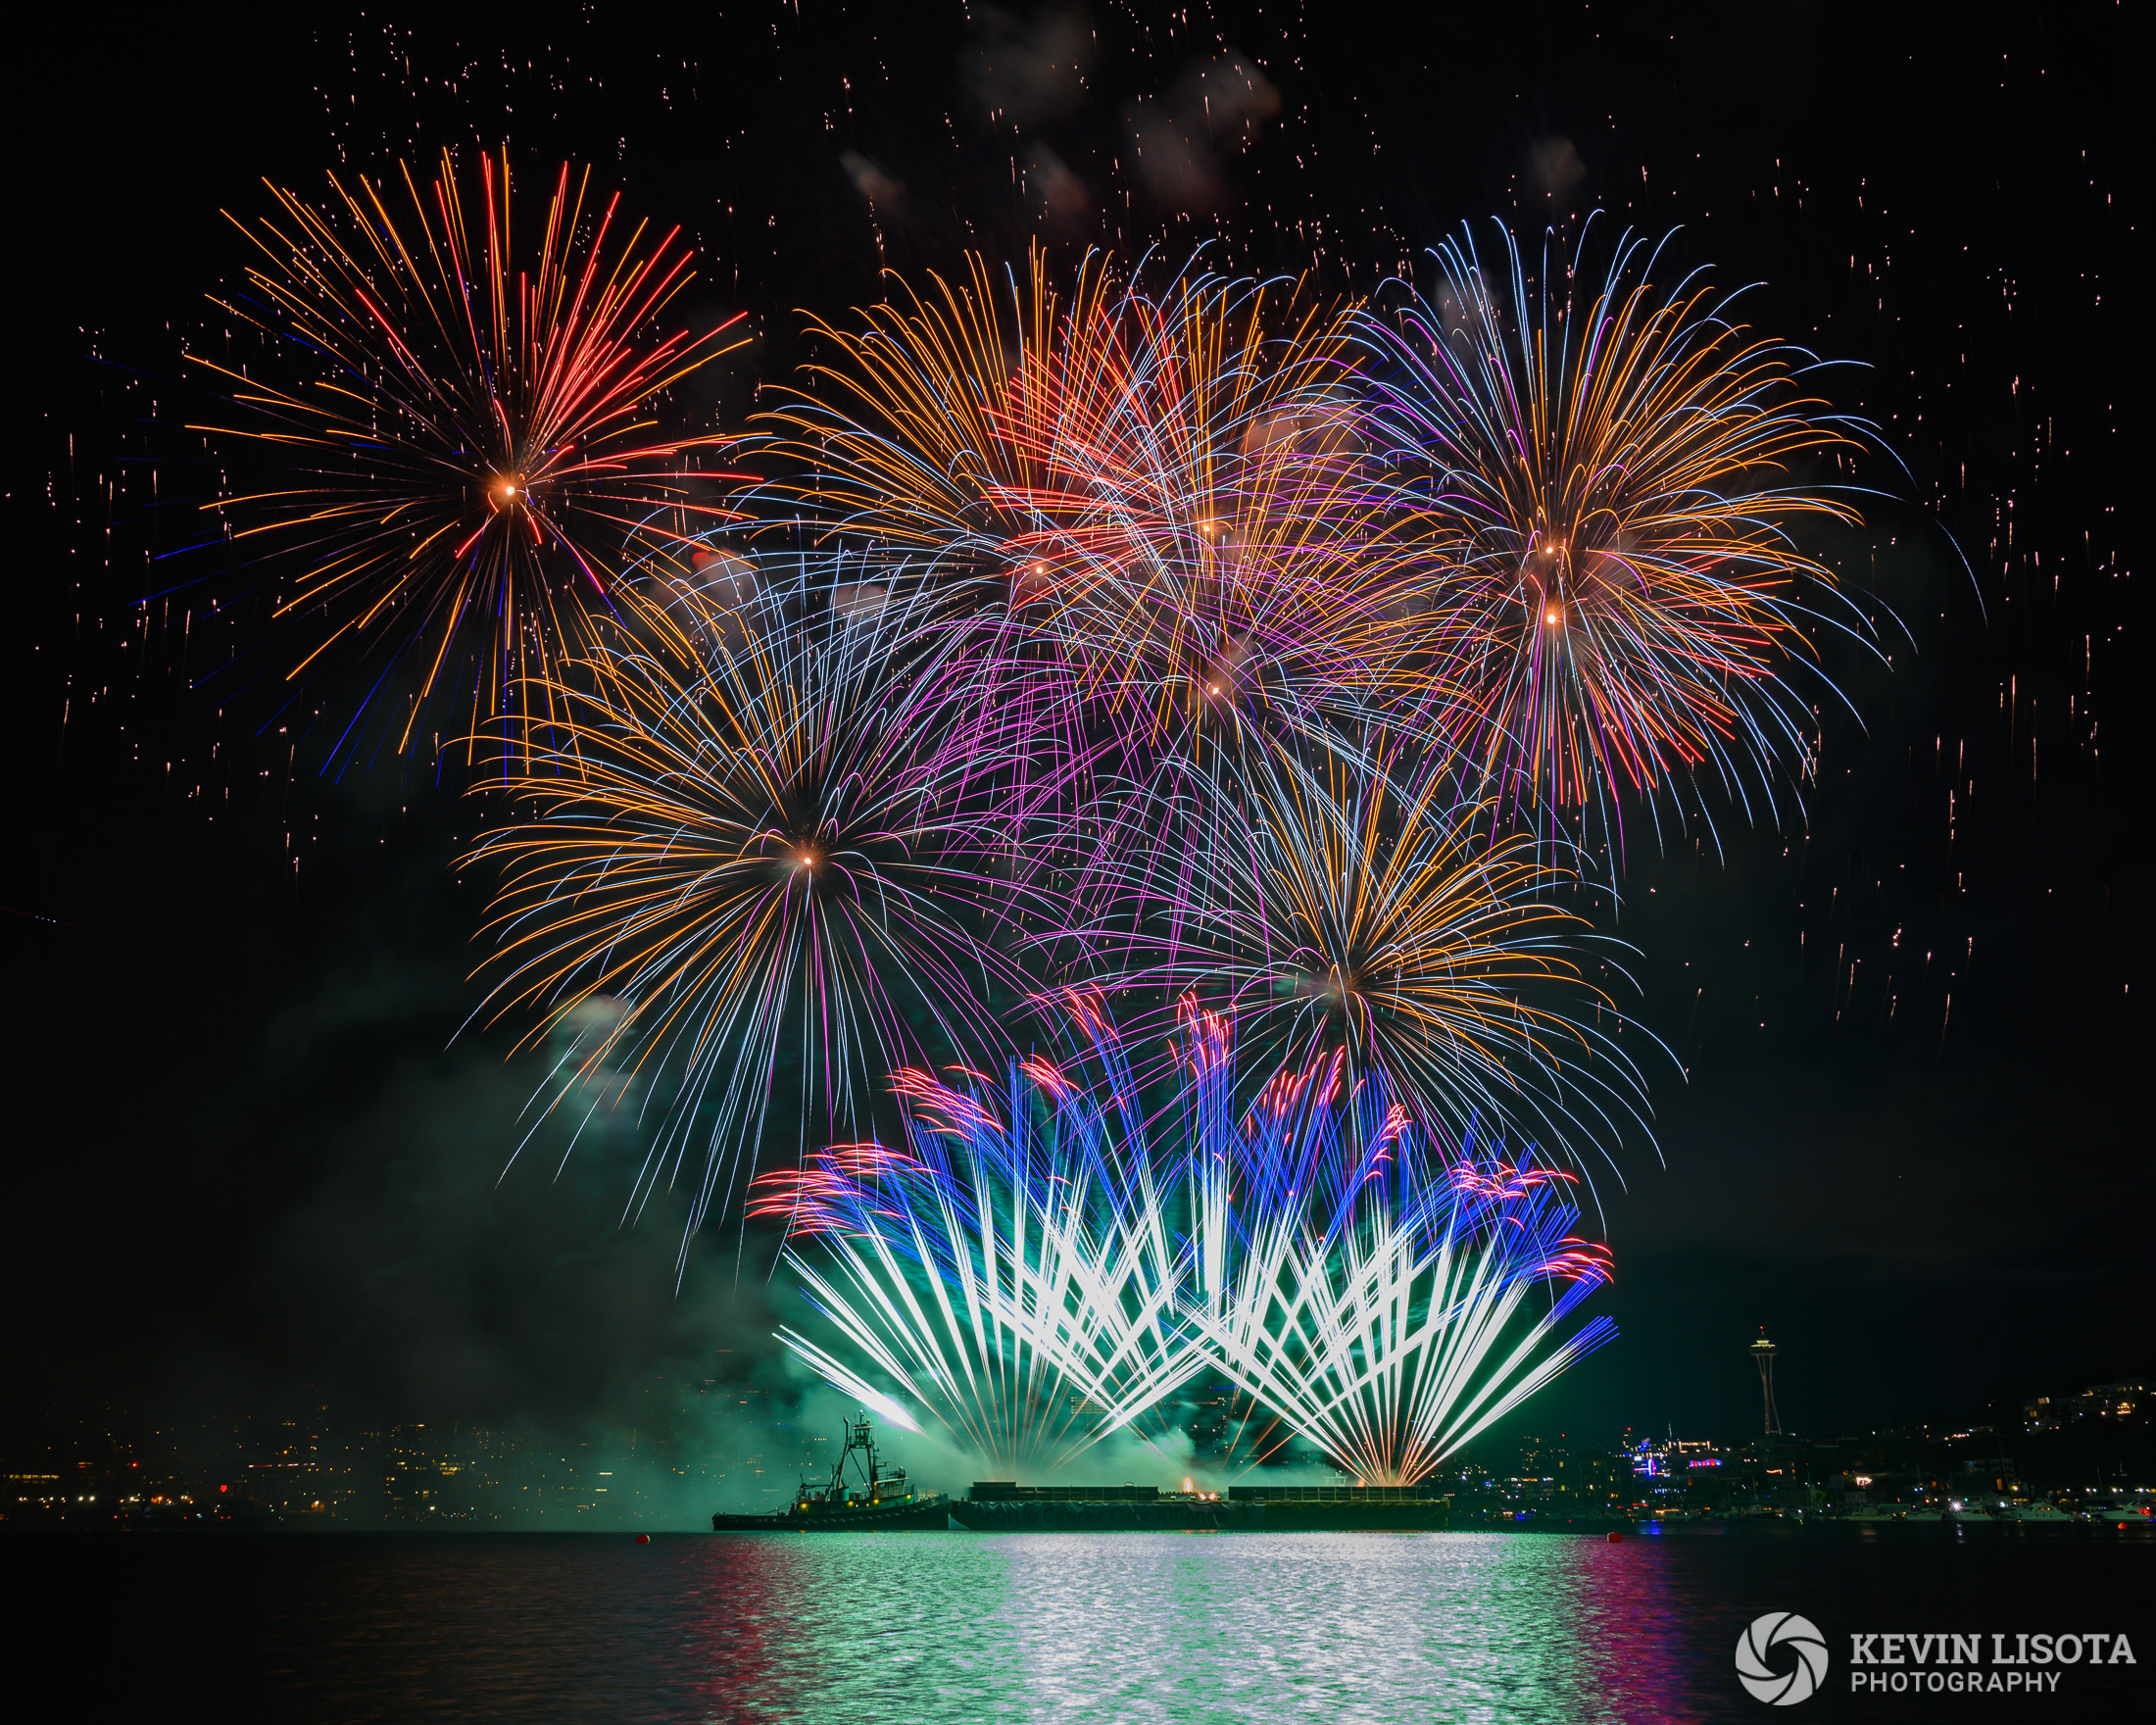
764 857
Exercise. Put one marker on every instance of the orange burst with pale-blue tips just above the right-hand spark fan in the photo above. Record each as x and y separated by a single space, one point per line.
1377 917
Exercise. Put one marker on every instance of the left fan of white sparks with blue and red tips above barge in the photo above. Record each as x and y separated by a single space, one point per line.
1014 1275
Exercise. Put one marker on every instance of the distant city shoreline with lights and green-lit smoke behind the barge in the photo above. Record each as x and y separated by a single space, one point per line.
715 1446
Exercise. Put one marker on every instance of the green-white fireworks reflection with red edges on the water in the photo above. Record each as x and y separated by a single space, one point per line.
1340 1627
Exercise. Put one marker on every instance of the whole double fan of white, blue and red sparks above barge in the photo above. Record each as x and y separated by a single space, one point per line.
1042 1273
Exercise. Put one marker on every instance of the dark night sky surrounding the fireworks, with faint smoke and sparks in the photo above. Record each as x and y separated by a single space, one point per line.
247 1153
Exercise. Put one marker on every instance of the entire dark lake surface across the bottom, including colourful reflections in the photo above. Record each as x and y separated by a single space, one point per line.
1051 1627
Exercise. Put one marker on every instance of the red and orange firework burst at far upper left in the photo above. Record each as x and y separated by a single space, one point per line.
473 428
